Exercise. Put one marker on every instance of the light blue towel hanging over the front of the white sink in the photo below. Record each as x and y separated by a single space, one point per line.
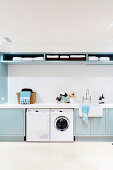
85 112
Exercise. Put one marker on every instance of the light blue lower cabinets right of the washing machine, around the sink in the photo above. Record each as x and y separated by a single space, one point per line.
100 126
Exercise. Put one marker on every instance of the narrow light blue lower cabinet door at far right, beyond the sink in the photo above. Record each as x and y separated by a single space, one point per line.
109 121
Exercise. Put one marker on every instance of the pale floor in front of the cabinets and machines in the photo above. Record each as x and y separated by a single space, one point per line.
56 156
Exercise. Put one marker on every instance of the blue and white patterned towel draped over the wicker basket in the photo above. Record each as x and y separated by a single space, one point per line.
25 97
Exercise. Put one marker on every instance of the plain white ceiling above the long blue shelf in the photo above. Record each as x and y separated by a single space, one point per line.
57 21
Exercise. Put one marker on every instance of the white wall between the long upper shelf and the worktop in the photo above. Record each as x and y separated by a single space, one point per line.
48 81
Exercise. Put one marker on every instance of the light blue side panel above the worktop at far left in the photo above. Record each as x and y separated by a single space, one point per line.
3 82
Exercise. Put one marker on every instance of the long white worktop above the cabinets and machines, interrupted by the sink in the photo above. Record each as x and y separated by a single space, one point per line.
52 105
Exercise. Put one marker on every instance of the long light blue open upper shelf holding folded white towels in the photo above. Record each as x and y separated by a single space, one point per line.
58 58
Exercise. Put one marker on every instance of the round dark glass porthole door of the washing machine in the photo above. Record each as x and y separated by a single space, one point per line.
62 123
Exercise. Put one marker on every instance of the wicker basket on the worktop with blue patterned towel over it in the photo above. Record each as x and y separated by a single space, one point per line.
26 96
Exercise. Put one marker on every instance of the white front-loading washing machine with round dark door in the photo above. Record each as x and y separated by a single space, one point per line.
61 125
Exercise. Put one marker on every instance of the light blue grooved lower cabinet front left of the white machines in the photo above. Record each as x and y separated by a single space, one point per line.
12 122
